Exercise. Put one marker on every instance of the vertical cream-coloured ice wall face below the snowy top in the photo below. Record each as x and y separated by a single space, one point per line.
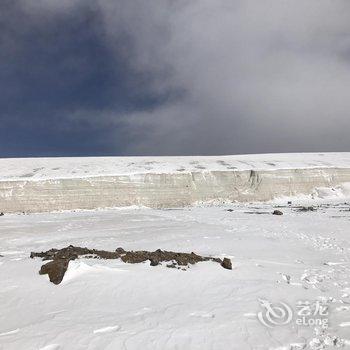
164 190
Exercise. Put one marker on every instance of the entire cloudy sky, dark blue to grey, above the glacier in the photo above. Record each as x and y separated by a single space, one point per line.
173 77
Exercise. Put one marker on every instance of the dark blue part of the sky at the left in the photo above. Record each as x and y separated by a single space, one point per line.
59 77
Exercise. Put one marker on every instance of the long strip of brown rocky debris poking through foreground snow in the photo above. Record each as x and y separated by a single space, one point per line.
60 258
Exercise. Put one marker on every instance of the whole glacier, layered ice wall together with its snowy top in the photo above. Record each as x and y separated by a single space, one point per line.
49 184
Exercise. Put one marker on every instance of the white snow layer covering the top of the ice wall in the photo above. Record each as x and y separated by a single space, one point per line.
60 168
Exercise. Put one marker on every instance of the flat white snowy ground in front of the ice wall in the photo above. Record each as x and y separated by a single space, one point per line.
297 257
